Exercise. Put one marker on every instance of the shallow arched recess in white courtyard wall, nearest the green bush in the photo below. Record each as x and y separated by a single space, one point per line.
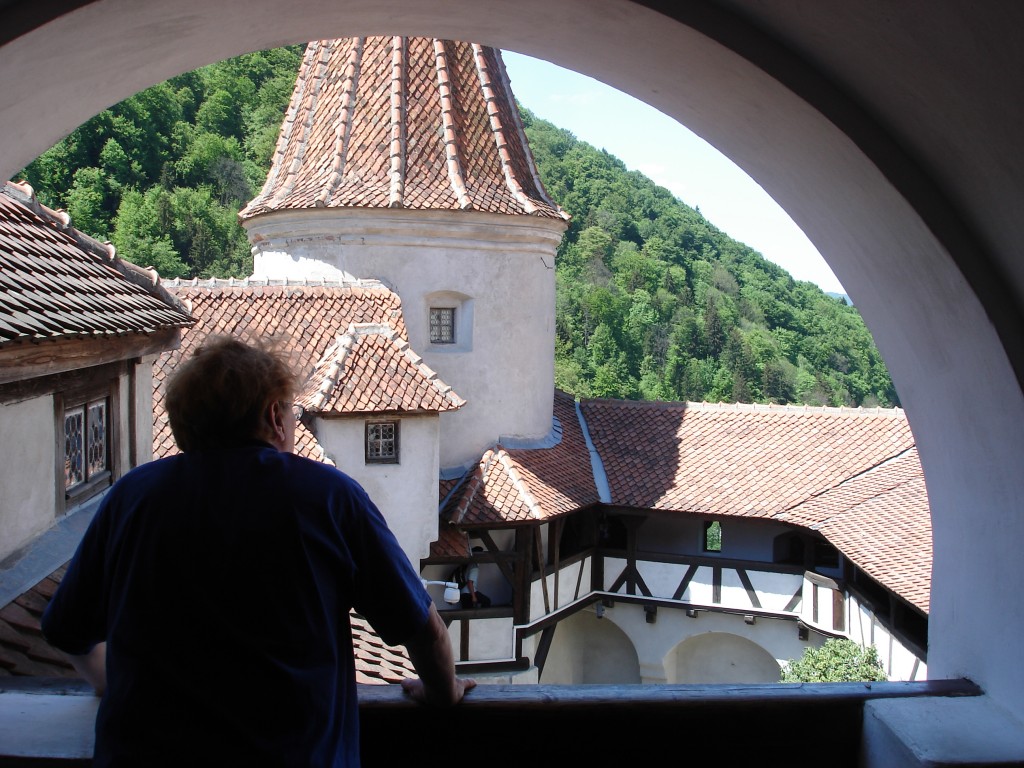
720 658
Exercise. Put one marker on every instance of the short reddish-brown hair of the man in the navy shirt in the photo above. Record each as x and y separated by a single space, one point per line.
219 396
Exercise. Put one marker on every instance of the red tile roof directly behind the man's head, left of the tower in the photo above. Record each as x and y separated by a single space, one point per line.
305 319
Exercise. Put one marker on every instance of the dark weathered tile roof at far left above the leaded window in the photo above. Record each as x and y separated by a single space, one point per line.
57 283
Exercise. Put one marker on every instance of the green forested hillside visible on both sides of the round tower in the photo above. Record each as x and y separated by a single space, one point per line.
653 302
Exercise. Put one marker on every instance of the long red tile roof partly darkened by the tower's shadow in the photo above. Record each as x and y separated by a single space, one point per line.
737 460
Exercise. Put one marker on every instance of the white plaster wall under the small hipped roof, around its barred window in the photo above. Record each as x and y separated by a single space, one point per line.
405 493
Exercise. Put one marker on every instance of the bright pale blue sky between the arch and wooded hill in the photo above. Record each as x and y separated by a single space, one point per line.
673 157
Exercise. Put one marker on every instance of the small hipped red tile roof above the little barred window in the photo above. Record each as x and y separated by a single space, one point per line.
370 369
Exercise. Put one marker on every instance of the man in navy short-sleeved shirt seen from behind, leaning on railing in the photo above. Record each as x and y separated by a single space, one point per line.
208 603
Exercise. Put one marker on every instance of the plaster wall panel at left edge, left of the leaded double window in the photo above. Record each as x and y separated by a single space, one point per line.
28 485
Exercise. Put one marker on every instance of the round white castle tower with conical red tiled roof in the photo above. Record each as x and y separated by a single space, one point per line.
405 160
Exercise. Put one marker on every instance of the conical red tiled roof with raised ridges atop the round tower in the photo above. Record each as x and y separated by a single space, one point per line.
394 122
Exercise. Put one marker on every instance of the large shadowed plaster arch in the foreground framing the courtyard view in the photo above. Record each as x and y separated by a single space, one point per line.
889 233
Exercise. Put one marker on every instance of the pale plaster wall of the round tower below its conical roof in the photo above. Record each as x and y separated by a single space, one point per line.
504 265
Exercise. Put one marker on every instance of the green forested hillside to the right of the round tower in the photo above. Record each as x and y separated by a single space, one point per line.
655 303
